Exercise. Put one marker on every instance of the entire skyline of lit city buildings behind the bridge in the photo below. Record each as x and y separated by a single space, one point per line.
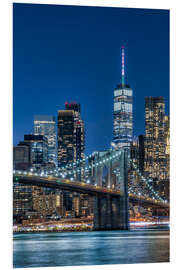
54 146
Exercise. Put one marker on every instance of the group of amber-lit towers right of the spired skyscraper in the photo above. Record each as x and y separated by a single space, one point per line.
151 151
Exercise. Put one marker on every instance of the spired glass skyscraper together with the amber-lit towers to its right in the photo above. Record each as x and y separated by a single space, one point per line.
150 152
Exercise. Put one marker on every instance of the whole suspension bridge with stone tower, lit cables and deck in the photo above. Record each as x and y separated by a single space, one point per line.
112 197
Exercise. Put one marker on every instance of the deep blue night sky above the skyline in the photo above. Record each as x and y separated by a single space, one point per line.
66 53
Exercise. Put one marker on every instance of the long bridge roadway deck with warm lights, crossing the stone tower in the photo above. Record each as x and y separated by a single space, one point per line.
81 187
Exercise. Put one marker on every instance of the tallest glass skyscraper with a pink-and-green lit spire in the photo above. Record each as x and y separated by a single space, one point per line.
123 115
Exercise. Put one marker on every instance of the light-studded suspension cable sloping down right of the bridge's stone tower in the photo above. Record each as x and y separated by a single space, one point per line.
143 179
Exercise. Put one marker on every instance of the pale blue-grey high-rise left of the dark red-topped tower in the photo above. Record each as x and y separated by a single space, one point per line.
45 125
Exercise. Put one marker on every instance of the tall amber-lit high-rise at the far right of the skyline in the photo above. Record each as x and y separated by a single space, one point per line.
155 159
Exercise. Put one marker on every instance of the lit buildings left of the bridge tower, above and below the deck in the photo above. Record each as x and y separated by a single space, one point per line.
45 150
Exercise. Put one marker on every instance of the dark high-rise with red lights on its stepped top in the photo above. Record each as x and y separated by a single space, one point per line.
71 138
